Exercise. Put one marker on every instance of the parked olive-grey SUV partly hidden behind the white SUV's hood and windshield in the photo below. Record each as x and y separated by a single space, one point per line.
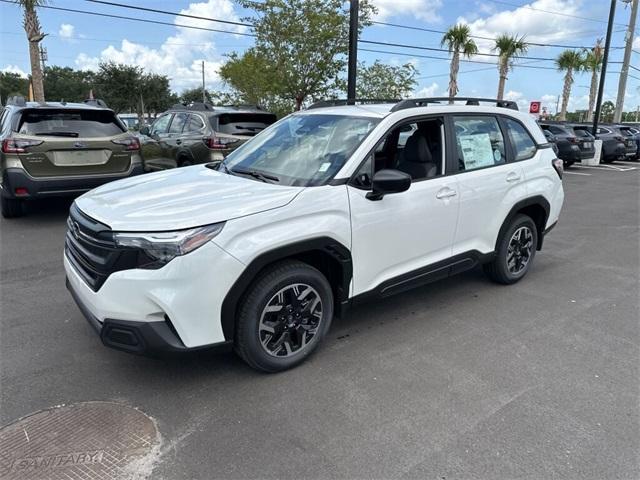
199 133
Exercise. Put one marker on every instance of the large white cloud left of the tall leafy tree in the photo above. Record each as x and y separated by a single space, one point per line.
180 56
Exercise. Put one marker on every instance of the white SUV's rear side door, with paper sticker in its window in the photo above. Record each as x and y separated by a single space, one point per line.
488 185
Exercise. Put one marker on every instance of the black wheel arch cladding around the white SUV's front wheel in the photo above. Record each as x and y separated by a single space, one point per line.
324 253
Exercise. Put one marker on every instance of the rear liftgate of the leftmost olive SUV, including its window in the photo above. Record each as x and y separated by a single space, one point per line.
70 142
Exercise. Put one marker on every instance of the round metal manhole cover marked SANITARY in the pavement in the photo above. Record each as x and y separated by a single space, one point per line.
94 440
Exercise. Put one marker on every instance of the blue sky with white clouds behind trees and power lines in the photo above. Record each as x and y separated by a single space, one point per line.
82 41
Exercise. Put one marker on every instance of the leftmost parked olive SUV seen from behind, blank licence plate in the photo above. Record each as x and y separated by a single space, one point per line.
57 148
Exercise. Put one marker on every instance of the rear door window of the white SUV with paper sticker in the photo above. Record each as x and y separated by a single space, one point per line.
479 142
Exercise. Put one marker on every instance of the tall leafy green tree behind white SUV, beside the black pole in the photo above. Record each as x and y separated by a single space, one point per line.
300 48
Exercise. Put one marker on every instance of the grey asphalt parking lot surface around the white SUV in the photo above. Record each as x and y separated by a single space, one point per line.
460 379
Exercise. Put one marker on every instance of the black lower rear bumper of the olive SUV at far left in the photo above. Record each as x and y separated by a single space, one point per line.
13 178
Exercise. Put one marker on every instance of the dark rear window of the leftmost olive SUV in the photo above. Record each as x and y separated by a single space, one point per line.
69 123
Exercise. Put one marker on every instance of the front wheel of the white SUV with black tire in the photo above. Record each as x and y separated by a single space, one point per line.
251 341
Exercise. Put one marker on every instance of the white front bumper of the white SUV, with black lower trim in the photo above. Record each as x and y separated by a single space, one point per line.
173 309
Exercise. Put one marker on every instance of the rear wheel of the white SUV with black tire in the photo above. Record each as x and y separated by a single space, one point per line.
499 269
